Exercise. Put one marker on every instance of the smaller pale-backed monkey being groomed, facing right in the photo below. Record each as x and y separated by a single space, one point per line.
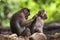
37 24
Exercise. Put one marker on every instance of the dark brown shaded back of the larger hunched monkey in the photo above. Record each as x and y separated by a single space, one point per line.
13 20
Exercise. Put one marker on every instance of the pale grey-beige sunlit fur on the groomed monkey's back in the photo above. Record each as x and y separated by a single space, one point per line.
39 24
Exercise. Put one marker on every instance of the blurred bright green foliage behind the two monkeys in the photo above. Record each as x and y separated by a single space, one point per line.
9 7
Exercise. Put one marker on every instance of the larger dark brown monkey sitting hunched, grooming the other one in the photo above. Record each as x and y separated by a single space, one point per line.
19 23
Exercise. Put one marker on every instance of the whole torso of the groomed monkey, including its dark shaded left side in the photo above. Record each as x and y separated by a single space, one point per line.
37 25
